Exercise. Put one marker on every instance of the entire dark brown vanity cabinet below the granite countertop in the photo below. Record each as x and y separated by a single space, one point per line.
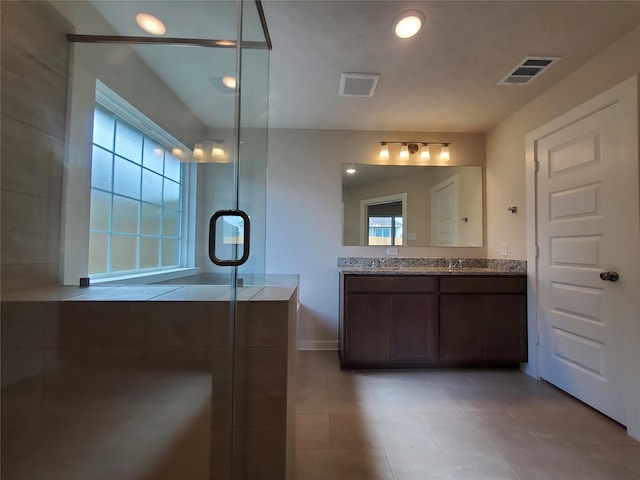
412 321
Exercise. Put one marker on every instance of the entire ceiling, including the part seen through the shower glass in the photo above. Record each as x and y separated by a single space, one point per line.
442 80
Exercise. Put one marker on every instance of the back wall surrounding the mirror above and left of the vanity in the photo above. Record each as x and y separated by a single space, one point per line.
304 213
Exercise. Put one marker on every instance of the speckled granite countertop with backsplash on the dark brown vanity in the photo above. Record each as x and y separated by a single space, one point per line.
430 266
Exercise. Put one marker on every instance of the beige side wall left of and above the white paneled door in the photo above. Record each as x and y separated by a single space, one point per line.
506 143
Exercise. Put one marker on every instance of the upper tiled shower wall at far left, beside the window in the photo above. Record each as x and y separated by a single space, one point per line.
35 57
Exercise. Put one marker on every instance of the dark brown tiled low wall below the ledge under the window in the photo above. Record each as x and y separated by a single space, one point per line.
143 389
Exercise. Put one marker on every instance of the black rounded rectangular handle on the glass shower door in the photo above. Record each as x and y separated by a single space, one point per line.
228 231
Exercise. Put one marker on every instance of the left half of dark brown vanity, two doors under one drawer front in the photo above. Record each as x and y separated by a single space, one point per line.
388 321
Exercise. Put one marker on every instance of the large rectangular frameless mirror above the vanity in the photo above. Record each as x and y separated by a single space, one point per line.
437 206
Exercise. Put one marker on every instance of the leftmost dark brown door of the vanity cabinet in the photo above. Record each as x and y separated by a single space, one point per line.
367 328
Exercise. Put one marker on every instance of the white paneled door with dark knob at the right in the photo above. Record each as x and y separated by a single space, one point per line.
587 219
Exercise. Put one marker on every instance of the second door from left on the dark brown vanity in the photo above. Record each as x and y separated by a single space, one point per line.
414 328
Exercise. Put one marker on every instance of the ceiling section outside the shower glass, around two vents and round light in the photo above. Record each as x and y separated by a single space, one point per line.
443 79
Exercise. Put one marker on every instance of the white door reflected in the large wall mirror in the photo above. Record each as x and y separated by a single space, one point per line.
444 212
